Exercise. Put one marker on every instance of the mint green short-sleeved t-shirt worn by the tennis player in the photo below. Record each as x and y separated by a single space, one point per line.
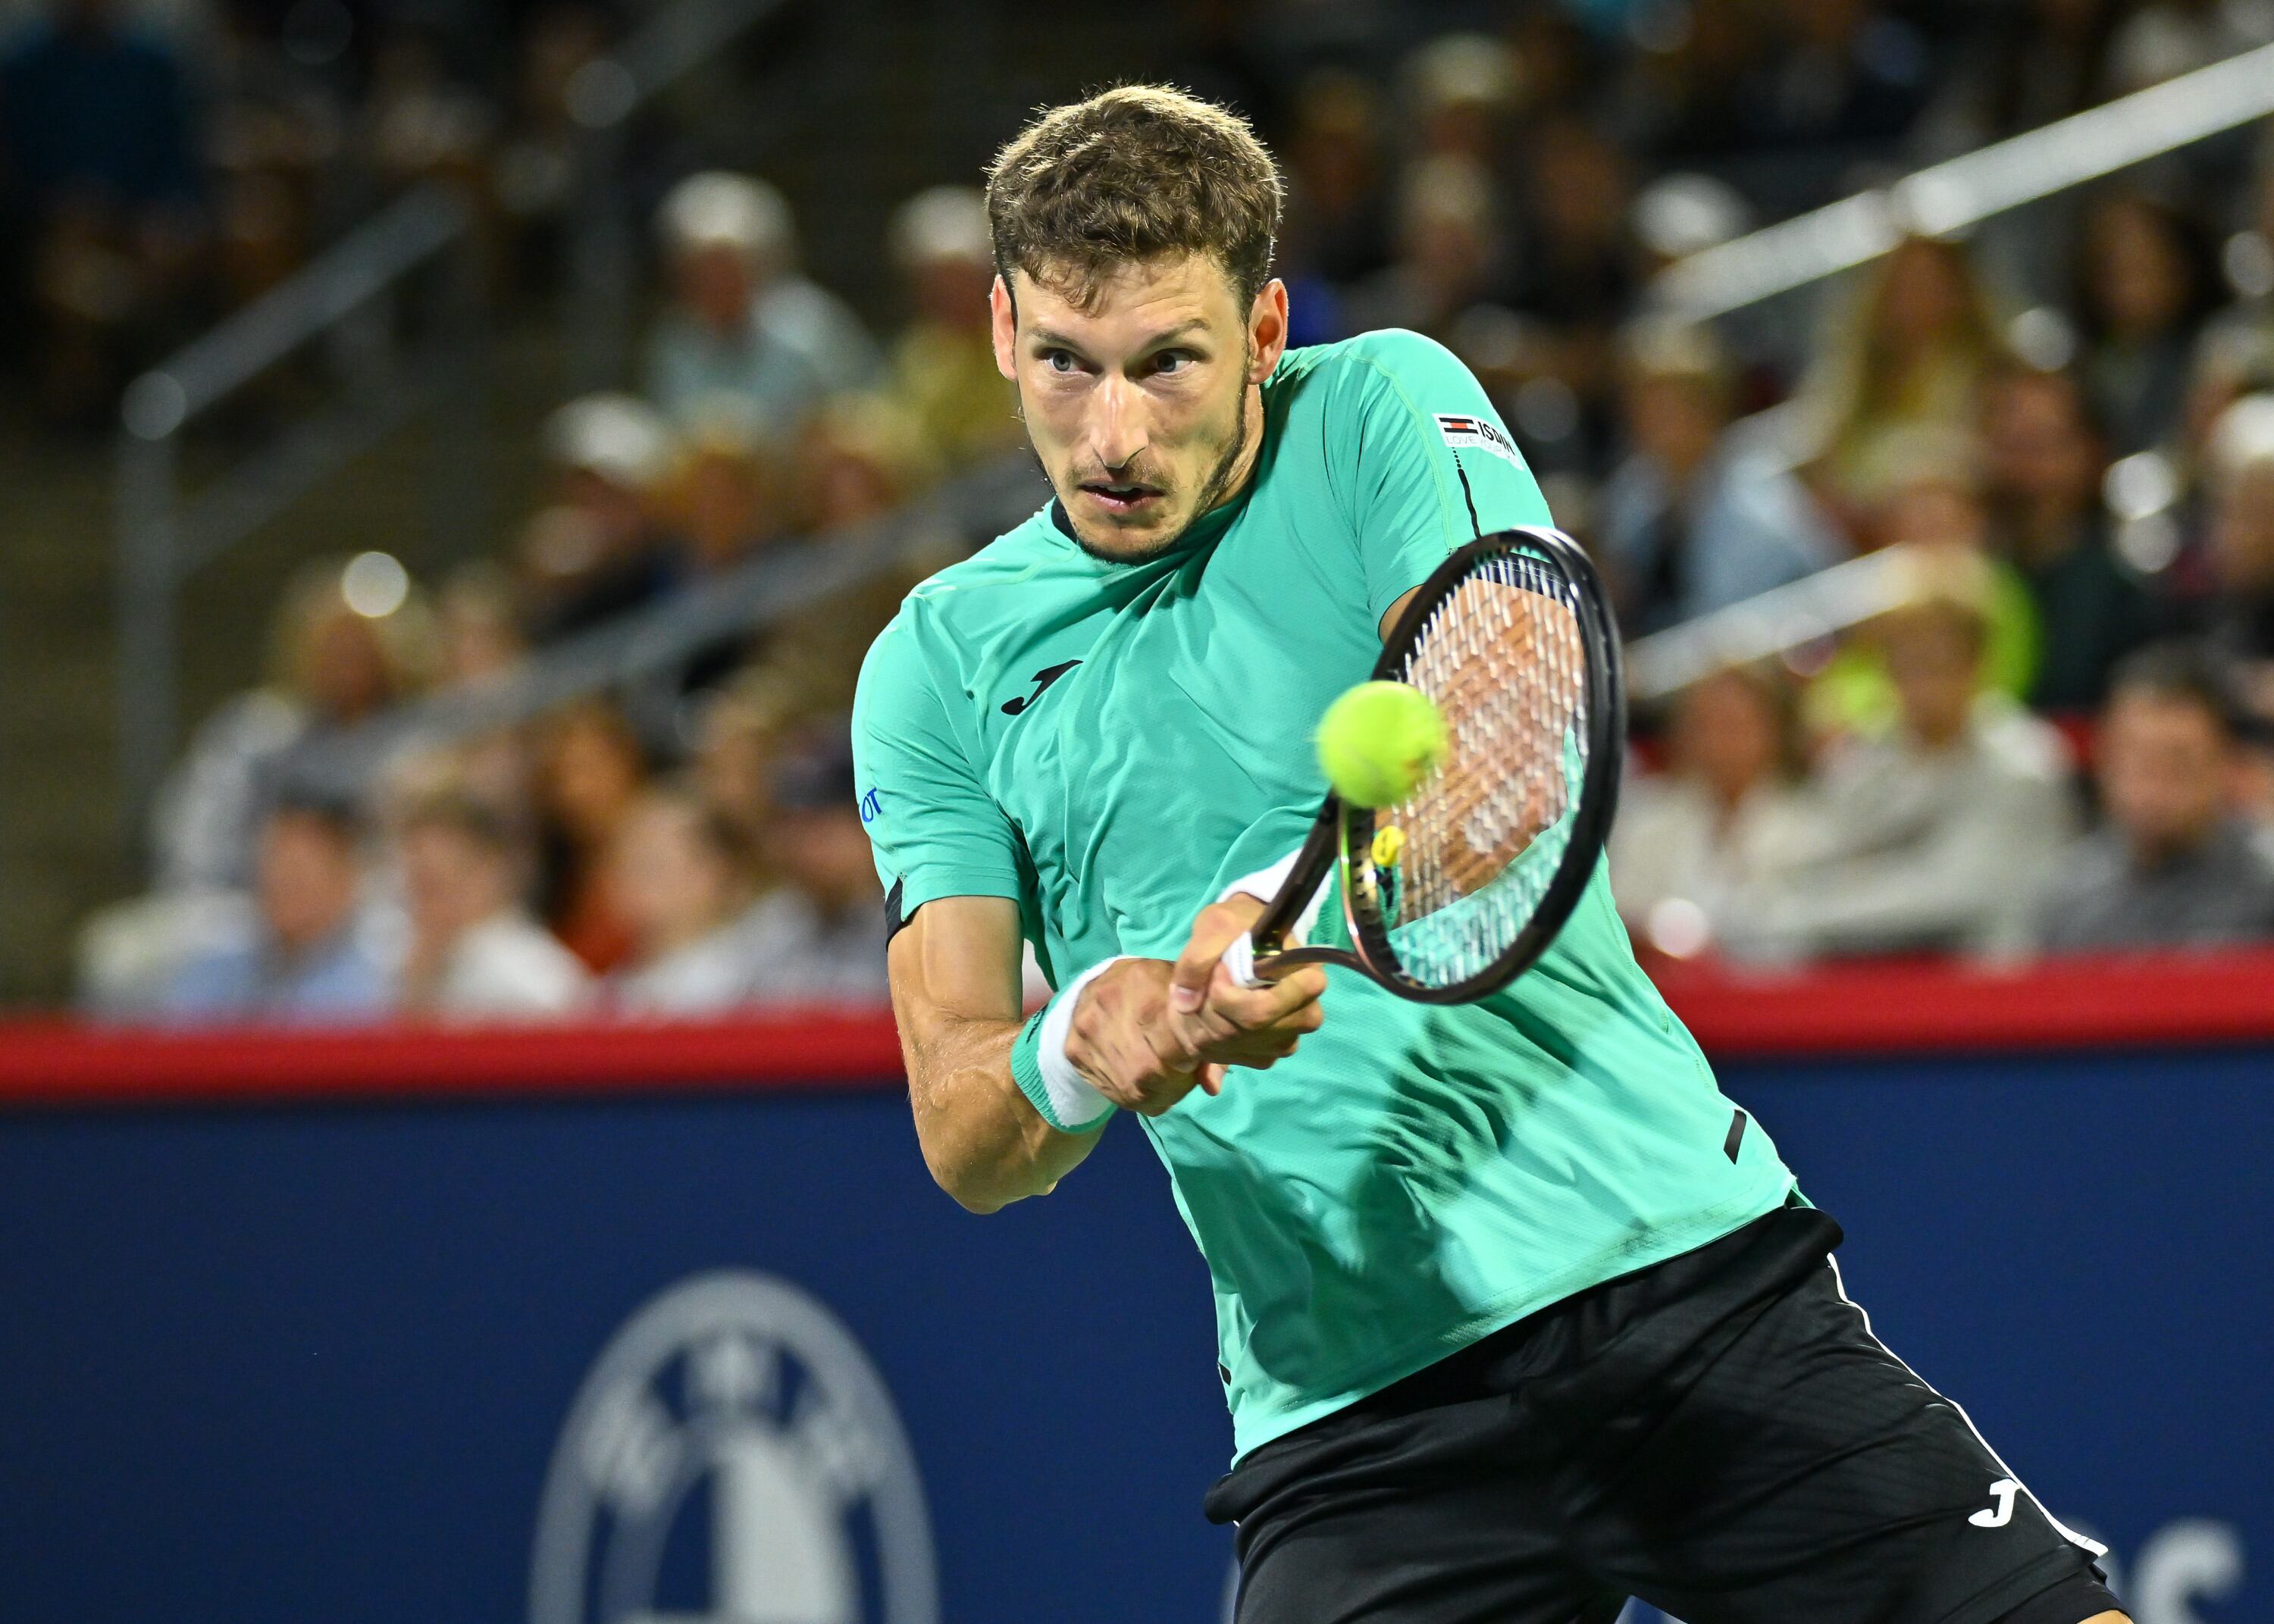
1113 745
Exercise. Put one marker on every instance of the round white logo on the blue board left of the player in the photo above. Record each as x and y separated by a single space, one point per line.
733 1411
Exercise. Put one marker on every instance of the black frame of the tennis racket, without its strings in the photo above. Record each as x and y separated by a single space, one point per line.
1343 836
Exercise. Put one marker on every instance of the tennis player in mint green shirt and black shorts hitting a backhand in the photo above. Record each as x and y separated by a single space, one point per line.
1518 1316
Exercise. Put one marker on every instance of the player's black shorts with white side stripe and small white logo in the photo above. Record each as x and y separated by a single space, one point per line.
1718 1434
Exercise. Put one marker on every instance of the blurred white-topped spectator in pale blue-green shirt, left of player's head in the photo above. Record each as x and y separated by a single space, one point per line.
742 322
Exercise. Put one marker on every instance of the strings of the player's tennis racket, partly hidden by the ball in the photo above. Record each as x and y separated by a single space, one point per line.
1504 661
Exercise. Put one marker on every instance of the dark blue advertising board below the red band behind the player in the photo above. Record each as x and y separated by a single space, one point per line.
736 1357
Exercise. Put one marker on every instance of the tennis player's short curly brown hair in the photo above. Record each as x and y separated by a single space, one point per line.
1131 176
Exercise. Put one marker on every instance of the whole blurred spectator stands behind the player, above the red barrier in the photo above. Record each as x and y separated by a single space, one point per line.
727 320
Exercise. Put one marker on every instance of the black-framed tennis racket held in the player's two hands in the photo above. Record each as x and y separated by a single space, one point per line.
1466 884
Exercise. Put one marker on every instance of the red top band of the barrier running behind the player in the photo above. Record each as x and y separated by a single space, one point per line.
1857 1009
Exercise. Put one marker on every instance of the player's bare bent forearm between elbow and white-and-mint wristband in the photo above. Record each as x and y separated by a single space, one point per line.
981 1138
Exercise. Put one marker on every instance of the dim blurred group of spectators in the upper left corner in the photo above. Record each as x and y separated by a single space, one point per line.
165 163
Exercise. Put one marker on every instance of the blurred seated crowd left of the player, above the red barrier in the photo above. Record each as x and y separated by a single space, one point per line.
679 847
